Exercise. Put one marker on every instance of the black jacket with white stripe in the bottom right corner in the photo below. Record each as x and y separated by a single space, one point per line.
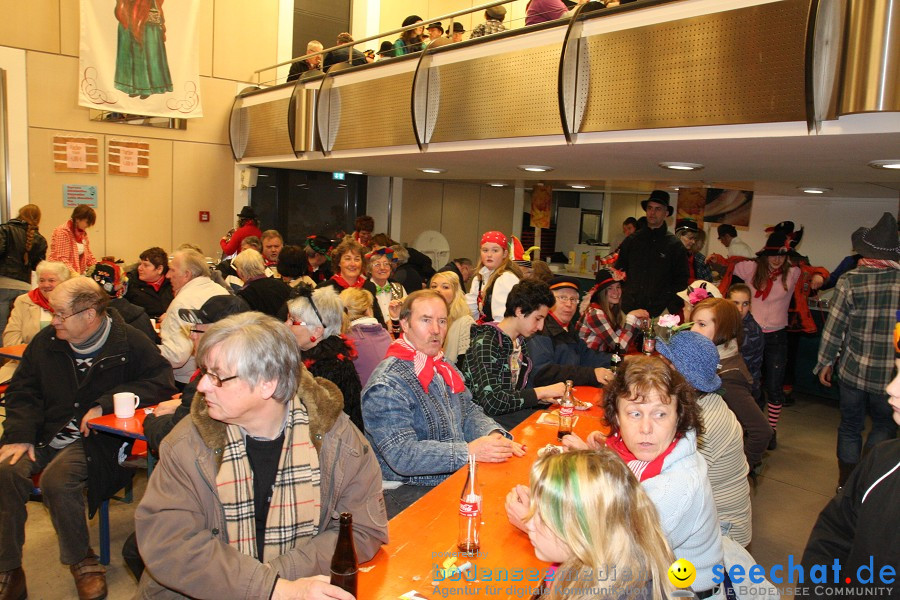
861 522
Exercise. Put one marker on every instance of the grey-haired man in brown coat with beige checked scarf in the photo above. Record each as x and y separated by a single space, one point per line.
244 499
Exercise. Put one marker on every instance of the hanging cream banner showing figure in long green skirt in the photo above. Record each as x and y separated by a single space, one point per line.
140 58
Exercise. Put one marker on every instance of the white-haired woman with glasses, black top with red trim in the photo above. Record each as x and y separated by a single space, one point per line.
317 320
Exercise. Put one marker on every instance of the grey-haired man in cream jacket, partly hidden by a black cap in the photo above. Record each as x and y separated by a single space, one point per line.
189 275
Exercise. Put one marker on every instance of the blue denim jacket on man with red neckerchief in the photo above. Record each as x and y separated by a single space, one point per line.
419 438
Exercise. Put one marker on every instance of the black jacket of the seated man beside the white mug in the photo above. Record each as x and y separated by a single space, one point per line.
44 394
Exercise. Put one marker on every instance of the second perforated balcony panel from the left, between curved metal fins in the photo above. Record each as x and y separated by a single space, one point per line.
375 113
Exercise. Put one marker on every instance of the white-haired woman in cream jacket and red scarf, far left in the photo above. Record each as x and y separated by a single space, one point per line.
31 312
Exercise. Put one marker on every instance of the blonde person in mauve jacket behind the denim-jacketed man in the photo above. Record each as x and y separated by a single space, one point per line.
369 337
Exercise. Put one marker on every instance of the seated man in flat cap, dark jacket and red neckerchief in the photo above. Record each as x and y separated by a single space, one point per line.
558 353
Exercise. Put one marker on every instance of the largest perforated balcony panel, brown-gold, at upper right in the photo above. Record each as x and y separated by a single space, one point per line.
740 66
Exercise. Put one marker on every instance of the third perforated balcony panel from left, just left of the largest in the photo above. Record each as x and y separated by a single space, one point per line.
500 96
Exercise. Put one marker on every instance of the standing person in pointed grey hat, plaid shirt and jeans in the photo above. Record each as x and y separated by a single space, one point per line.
859 329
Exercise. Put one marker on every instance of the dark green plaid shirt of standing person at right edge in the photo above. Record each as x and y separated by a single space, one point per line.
859 328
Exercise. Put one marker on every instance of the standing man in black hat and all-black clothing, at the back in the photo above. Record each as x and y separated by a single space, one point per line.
655 261
